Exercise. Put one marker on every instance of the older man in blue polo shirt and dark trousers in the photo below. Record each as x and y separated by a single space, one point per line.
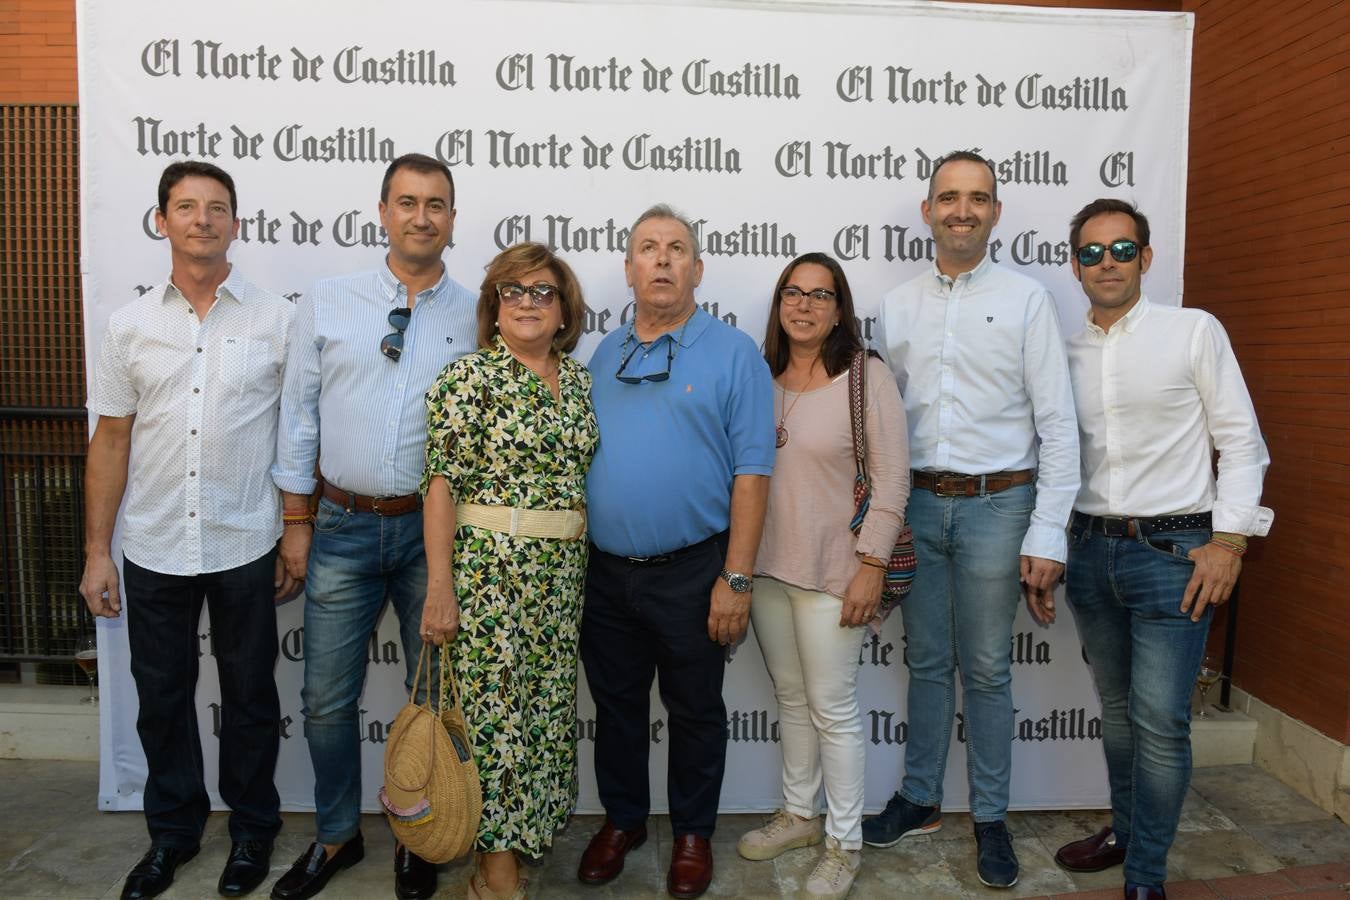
676 501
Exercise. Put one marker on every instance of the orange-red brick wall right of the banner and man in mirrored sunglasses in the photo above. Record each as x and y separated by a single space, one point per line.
1268 230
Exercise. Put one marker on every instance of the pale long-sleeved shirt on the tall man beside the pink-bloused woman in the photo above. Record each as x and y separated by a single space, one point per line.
981 365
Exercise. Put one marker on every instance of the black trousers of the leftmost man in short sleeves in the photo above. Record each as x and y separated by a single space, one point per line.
164 619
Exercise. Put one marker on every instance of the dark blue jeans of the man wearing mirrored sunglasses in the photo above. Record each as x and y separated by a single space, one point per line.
1145 654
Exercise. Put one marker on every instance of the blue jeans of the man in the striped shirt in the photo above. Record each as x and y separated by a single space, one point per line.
356 563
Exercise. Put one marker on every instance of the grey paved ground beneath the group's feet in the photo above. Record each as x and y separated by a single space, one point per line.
1244 835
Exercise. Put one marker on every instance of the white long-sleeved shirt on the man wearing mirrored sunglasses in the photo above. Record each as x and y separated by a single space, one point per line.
1156 396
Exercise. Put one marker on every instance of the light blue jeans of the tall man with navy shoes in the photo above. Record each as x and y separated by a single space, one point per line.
961 615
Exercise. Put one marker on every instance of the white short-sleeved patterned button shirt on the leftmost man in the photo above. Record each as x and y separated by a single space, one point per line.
206 396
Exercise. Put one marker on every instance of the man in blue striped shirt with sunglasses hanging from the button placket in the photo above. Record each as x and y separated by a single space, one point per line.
364 351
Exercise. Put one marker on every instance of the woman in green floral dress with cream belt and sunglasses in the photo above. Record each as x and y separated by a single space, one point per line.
511 435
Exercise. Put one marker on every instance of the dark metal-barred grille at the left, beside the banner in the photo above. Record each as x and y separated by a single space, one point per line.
43 391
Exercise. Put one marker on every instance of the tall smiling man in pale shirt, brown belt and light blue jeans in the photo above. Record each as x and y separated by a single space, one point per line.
979 360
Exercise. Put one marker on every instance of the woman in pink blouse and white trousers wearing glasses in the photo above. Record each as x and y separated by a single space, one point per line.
817 585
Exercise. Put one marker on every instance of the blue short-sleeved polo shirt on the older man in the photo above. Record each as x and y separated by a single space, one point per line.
662 478
